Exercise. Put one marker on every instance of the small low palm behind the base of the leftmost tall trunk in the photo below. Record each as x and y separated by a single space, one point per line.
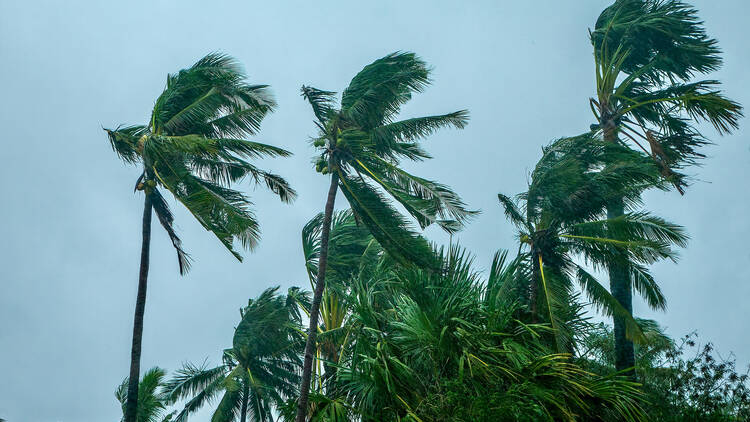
151 401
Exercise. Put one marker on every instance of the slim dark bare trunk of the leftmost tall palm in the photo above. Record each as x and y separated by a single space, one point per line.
131 404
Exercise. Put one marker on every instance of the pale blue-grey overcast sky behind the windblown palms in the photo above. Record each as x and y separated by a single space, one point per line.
71 223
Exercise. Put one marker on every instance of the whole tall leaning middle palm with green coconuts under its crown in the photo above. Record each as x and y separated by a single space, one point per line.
361 147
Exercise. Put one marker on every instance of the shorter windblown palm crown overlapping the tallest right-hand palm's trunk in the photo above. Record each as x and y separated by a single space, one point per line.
560 217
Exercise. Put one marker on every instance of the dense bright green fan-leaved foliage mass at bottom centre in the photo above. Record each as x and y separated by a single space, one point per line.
445 346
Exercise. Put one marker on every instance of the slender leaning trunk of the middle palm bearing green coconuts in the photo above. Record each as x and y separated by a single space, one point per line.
312 333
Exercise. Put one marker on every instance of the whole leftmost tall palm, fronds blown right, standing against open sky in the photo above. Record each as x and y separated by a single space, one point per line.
192 147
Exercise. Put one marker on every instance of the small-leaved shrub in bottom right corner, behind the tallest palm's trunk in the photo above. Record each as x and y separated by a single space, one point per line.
683 381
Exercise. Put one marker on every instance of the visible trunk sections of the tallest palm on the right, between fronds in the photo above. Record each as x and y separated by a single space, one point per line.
619 275
